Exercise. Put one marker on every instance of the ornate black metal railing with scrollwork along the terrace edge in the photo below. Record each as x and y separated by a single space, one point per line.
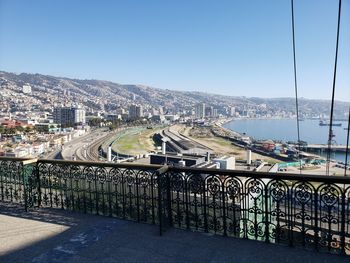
297 210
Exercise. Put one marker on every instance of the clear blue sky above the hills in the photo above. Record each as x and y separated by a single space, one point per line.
233 47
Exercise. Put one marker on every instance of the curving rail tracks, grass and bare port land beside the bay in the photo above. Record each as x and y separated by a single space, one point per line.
138 143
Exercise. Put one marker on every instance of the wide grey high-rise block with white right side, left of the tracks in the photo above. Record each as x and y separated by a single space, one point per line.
69 116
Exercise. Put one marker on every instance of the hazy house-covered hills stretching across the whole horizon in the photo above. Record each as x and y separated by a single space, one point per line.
94 92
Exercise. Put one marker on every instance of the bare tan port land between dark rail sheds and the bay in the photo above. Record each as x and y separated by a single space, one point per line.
225 142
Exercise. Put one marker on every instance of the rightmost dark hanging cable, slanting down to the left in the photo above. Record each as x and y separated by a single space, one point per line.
330 133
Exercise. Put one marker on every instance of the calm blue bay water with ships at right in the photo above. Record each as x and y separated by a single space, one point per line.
286 130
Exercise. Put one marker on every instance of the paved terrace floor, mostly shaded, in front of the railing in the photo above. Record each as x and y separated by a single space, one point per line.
48 235
